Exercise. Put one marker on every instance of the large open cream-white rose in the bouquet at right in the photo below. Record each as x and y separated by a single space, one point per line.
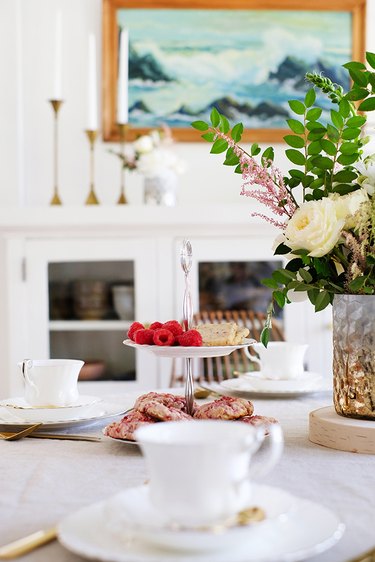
315 227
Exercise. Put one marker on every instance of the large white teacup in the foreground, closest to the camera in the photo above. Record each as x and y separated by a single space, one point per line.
201 470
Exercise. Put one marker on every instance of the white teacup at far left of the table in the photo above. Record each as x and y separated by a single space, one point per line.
51 382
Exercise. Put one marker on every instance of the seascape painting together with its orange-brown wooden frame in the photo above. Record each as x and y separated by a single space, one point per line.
245 57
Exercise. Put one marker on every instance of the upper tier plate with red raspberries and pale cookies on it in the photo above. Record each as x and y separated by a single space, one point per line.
170 339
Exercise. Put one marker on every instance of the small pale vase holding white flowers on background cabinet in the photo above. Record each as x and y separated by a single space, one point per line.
161 189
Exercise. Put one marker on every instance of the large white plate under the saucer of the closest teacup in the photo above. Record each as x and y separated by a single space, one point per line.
309 530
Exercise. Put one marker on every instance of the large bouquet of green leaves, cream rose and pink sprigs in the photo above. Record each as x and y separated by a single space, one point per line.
324 205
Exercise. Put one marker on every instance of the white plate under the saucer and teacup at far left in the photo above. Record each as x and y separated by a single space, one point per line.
61 418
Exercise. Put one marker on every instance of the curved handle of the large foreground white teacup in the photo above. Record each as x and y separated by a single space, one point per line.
275 444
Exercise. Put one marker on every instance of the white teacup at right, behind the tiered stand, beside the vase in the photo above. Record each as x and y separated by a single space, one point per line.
279 360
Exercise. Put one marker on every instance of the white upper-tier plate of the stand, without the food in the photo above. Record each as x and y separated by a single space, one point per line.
182 351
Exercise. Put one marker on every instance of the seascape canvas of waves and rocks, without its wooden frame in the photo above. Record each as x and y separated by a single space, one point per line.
246 63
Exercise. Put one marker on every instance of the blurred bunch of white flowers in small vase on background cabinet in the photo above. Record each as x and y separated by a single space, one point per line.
152 154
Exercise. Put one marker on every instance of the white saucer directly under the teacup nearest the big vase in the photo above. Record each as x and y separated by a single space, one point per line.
305 381
